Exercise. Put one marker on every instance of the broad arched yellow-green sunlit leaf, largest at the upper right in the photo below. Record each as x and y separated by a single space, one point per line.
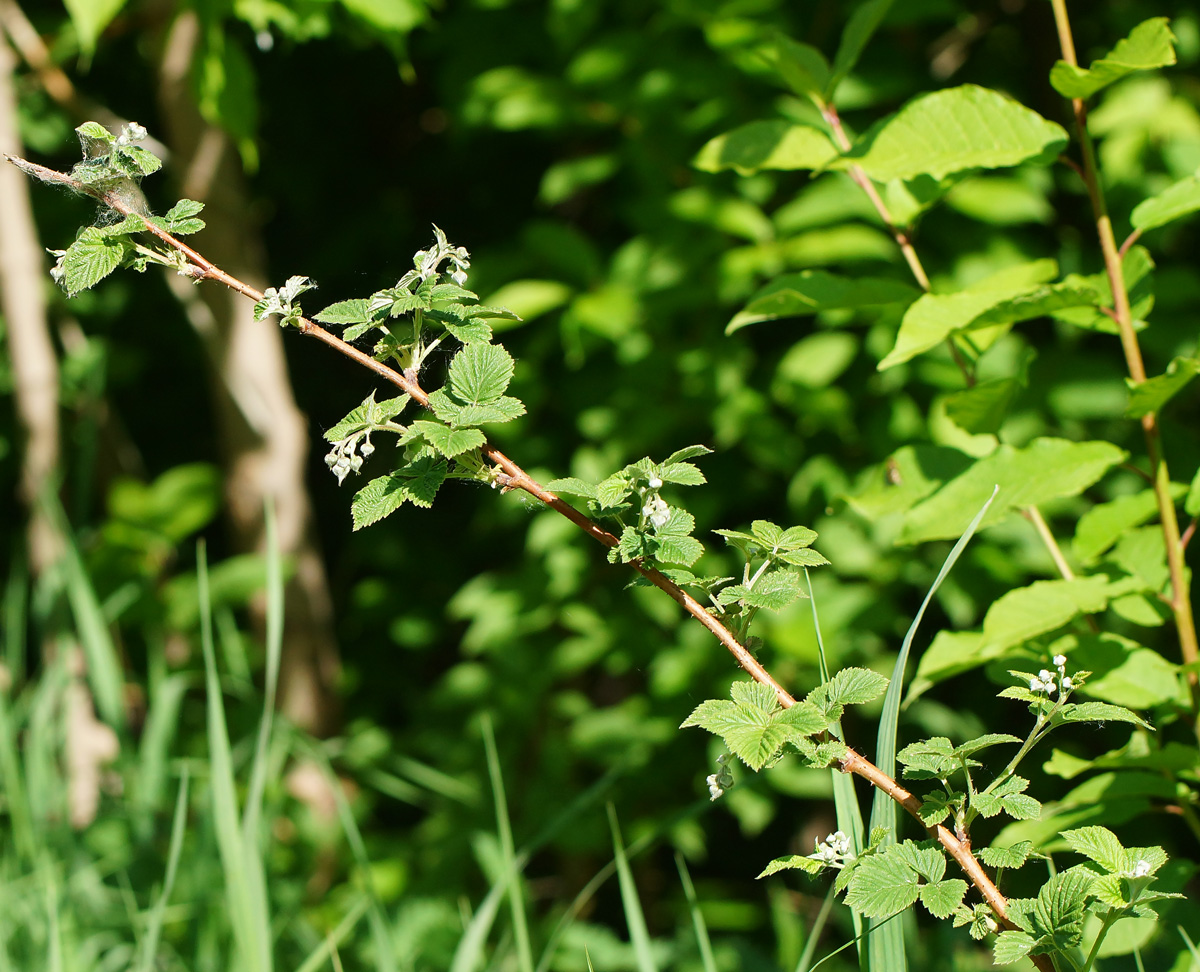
953 130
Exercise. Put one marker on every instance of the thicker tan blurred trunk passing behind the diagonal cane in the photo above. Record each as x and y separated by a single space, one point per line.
262 431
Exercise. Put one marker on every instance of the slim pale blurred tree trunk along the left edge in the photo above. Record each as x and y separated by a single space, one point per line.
35 365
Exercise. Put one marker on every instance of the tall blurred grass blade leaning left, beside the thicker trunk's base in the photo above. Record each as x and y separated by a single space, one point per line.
243 866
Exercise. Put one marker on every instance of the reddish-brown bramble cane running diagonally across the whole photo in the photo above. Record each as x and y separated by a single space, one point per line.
513 477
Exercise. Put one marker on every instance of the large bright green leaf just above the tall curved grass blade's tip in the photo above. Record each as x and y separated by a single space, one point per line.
1045 470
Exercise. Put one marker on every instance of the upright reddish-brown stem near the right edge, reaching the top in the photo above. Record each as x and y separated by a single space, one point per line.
1181 598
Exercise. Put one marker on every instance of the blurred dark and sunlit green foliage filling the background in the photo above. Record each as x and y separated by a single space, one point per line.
556 142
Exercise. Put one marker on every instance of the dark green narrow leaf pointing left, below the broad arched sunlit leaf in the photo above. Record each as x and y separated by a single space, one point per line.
814 291
